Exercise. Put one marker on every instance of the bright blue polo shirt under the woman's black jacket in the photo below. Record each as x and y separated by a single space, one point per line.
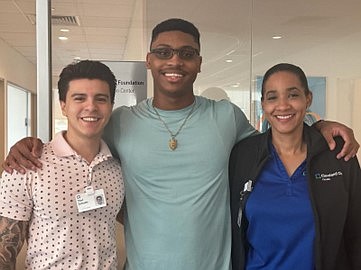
281 227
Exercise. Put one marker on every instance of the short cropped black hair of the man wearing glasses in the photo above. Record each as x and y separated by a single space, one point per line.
175 24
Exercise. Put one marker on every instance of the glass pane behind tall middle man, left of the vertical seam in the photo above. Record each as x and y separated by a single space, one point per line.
226 45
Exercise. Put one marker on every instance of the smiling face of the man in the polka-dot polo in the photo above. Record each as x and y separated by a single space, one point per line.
87 107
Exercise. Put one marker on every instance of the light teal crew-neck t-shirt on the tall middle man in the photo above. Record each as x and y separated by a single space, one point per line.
177 201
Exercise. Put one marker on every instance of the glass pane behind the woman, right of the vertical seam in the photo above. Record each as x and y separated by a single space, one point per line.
322 37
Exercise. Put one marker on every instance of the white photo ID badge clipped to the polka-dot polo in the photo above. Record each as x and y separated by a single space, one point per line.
90 199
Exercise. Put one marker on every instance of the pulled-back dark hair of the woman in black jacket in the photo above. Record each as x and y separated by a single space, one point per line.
289 68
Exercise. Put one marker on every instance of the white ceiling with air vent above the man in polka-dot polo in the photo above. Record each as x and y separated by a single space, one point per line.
102 32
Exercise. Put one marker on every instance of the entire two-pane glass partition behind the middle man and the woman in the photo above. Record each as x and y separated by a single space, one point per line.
240 40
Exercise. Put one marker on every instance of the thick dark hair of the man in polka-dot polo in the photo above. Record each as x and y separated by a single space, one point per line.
86 69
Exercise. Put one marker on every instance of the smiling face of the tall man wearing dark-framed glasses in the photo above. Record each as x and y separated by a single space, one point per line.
174 77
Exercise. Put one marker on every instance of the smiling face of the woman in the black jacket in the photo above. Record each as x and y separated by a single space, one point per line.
285 102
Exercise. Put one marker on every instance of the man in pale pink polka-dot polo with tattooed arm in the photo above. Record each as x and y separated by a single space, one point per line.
67 210
